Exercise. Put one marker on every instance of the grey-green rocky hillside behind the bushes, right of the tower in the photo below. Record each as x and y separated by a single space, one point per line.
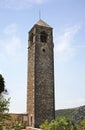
74 114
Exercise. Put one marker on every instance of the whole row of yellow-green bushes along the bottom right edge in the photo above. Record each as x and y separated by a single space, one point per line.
62 123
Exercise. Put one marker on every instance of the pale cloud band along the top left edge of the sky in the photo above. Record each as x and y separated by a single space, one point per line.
19 4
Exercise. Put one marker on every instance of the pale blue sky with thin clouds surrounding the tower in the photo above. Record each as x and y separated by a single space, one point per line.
67 17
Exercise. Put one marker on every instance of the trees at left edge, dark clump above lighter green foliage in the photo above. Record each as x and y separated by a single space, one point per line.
4 104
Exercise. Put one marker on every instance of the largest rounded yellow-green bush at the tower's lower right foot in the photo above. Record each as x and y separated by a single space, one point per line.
59 124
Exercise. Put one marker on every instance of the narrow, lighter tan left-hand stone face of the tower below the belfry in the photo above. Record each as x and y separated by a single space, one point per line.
30 87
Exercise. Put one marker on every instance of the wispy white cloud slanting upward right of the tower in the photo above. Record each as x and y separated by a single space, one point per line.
63 44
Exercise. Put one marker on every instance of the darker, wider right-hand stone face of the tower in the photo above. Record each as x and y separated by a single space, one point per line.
44 79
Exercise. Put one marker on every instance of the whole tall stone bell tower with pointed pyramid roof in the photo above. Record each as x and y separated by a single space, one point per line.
40 81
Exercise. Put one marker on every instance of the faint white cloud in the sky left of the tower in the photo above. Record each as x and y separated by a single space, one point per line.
11 44
